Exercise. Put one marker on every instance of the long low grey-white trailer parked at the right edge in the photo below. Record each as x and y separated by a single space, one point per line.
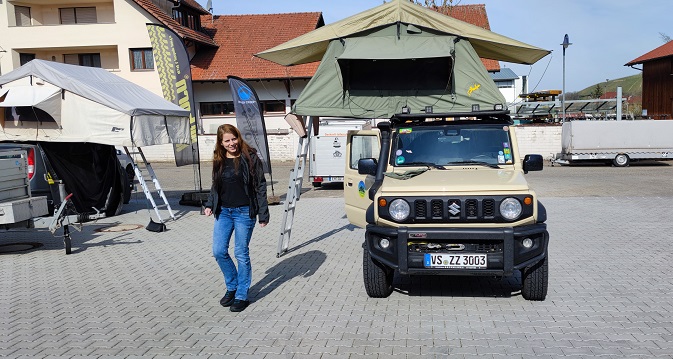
616 142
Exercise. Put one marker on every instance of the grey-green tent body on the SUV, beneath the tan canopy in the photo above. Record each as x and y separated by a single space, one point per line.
373 76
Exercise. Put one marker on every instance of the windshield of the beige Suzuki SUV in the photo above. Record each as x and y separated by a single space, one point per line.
439 146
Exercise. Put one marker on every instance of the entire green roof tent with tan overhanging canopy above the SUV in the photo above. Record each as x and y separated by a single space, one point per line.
395 55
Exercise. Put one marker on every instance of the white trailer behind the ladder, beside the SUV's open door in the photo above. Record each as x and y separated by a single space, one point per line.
327 149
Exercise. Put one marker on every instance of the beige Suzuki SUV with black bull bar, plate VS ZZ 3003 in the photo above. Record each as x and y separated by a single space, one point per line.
445 194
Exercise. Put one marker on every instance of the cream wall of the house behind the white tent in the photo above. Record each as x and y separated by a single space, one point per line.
120 27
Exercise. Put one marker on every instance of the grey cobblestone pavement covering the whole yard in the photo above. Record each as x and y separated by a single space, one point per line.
127 292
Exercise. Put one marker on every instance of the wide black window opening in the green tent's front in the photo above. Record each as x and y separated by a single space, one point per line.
396 75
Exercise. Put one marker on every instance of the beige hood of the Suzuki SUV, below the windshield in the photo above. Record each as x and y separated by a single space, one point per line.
458 180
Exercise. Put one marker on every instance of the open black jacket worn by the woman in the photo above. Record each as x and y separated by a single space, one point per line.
255 190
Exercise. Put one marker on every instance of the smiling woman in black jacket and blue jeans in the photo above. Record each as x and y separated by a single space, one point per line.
237 196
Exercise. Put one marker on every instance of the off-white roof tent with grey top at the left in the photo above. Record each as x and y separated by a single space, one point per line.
85 104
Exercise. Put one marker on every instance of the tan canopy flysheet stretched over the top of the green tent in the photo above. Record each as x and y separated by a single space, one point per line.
310 47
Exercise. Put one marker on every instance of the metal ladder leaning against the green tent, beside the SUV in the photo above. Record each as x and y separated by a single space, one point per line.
294 190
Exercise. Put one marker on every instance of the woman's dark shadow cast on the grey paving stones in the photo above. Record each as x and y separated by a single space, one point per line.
300 265
